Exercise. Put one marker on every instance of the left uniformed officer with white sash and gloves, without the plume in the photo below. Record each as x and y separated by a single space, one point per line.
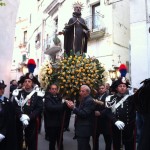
28 103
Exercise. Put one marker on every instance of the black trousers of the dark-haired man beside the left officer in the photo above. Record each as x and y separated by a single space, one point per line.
54 137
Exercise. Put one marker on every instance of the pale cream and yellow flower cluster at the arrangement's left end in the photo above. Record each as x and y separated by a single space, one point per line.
45 74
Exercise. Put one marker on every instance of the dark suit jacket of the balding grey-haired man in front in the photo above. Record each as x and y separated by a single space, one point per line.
85 116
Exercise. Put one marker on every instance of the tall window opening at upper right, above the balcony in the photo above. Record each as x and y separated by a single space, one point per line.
96 16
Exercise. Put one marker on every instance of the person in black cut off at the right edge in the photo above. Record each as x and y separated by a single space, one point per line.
142 102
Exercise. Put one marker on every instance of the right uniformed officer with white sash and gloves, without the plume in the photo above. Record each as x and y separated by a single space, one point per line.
121 110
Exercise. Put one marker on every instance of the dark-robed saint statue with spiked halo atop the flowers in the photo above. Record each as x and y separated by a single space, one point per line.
76 33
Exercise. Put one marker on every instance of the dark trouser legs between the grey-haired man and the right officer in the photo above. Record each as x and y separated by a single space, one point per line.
107 139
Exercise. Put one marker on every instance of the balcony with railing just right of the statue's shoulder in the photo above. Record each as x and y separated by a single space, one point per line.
96 26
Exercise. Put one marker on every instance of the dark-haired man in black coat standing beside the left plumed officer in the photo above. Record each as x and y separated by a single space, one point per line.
54 110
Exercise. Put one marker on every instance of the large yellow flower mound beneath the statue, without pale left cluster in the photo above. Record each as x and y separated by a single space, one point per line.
75 71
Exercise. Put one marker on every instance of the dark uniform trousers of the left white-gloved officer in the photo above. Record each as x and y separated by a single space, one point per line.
27 136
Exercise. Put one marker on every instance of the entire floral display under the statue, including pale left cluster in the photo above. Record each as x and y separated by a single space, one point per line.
72 72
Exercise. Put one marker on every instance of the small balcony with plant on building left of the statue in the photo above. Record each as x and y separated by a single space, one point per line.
52 45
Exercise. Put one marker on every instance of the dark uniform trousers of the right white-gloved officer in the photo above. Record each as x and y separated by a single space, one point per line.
126 137
